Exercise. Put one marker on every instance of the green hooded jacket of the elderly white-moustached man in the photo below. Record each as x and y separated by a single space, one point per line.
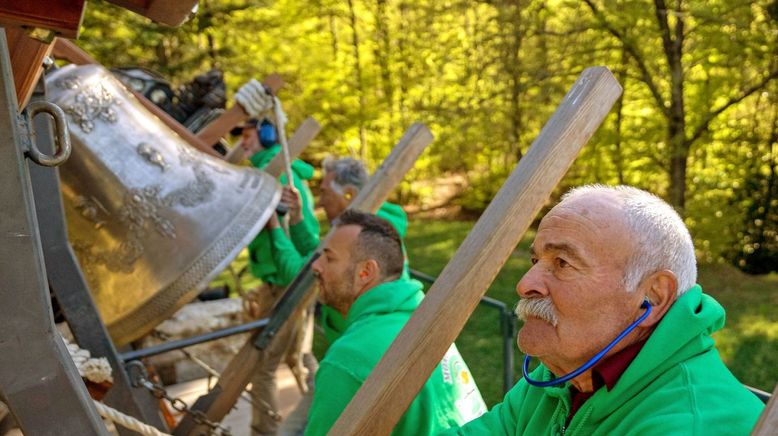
677 385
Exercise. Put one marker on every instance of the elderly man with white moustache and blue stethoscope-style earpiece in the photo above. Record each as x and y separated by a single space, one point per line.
611 310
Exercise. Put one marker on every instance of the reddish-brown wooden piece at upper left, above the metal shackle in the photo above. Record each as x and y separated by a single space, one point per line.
27 56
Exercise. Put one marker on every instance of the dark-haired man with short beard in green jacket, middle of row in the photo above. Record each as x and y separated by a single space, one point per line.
360 275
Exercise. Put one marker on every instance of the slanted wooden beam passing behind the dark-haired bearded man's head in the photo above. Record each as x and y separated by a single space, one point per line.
220 400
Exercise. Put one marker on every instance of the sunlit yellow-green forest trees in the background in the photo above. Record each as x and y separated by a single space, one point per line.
697 123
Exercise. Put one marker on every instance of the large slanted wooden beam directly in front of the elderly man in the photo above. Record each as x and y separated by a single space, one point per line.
408 362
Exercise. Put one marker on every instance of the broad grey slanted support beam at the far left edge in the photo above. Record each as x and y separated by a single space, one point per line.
37 375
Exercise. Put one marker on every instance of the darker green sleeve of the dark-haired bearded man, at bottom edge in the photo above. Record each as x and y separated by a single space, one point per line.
334 389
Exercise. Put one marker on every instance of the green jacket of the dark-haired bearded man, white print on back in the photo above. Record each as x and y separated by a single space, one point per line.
449 397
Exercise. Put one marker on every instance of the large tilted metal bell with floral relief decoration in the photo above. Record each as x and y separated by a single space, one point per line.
151 219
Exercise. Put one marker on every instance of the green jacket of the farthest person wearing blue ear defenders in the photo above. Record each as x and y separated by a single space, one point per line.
272 256
